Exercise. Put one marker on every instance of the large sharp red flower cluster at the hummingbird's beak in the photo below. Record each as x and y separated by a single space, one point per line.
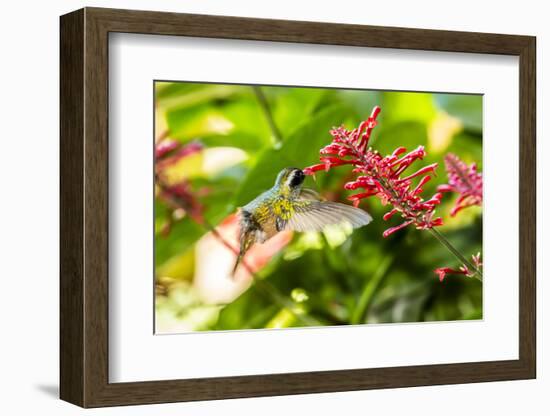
381 176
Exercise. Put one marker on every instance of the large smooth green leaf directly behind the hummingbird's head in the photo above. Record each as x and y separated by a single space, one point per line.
301 149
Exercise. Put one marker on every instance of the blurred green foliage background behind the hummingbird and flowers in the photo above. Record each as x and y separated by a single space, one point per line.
334 280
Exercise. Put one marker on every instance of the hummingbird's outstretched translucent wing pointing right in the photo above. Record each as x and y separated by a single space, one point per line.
309 215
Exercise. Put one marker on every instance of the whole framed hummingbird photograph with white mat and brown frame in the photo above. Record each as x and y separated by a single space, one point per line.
257 207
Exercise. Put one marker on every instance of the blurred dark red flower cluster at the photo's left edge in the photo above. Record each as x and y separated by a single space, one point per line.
178 196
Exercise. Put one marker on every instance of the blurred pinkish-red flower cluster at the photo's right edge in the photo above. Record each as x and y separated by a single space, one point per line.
464 180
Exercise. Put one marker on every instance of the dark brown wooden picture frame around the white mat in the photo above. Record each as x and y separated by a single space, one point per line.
84 207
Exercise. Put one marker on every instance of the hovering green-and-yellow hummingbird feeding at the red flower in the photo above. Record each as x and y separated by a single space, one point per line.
289 206
